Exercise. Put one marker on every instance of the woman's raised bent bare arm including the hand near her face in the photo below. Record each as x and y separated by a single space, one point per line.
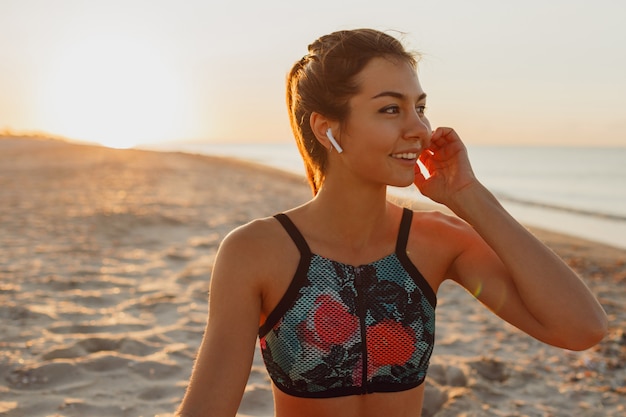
502 263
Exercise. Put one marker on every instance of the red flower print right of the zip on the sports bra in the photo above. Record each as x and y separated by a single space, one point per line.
390 343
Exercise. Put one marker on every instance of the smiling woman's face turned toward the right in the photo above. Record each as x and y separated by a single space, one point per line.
386 128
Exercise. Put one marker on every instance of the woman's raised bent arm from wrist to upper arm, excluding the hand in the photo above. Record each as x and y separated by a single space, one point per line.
522 280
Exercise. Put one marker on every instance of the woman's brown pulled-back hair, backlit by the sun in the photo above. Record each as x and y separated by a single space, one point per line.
323 81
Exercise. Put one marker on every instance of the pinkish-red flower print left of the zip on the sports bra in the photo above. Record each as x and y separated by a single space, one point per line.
333 322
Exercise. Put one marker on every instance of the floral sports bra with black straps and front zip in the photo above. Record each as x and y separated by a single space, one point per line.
348 330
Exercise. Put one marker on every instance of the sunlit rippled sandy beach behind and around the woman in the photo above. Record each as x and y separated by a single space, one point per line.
105 261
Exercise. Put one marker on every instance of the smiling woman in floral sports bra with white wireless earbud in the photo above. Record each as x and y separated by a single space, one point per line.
341 291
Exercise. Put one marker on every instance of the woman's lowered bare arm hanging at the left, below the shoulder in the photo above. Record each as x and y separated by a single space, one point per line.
225 356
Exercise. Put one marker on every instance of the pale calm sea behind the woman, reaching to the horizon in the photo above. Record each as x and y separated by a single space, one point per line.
580 191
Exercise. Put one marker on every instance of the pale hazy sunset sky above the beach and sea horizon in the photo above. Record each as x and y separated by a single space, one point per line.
129 72
